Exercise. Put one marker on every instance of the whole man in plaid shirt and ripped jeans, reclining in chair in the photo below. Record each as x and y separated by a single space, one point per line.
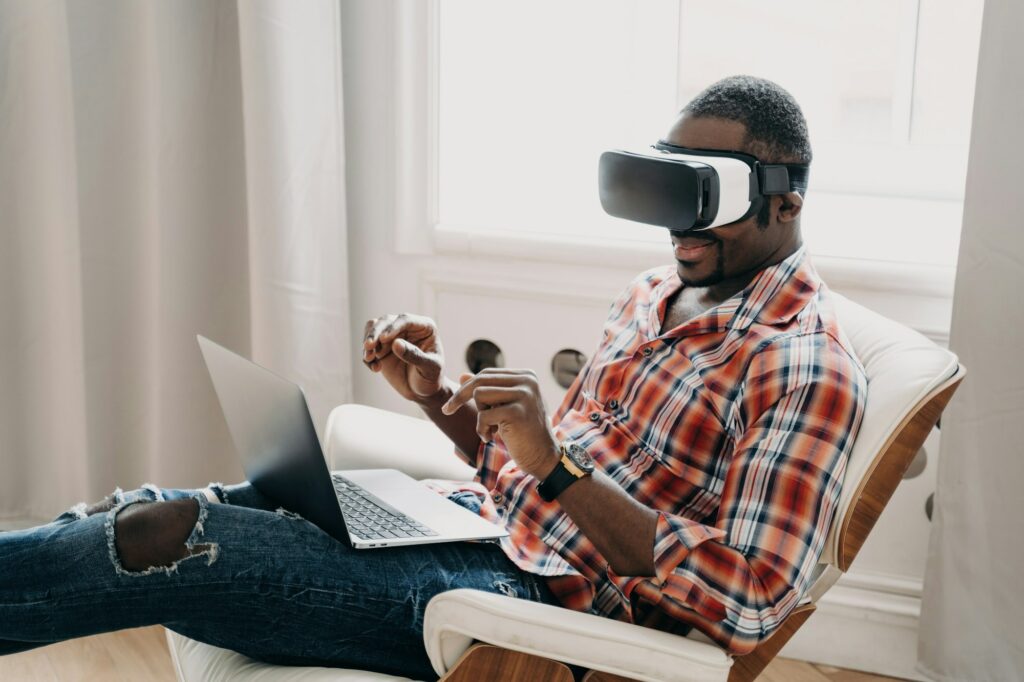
718 411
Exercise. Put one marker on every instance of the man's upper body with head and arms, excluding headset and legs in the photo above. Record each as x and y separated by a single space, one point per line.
720 408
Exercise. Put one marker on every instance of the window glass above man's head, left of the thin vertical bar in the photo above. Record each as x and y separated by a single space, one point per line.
845 63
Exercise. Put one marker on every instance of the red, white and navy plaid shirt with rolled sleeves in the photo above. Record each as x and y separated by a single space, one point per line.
735 427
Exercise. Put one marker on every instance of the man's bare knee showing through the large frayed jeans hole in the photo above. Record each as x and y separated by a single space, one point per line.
155 534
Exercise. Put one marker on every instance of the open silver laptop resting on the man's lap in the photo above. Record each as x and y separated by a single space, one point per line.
274 433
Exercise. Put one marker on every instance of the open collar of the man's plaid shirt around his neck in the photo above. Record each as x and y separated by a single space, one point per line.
775 296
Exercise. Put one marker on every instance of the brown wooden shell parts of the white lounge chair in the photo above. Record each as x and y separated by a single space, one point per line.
484 662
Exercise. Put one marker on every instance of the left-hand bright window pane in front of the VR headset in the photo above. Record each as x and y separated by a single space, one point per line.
532 93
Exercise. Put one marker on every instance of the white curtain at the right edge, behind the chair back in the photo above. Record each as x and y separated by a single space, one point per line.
971 627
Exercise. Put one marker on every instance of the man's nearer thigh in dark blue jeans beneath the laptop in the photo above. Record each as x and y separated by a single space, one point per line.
282 590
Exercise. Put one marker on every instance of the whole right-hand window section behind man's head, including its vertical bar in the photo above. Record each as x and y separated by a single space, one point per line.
886 86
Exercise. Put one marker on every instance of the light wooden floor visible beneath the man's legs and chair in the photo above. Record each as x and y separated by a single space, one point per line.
142 655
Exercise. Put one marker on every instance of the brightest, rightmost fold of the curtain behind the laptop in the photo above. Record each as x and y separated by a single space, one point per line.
295 173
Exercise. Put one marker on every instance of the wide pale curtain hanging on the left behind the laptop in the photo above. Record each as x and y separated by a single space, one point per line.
167 168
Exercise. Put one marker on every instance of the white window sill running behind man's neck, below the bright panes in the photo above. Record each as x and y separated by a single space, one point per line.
840 274
